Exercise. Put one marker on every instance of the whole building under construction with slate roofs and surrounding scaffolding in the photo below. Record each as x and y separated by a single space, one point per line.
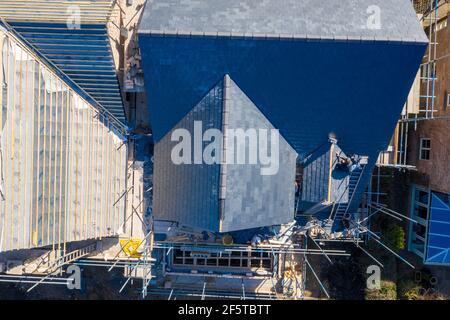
95 92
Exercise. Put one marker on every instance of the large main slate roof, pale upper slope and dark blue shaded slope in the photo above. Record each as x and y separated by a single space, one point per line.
307 89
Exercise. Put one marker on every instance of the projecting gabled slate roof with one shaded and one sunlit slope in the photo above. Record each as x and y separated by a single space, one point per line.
192 194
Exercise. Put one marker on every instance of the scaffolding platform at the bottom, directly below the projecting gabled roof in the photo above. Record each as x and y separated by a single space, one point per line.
282 275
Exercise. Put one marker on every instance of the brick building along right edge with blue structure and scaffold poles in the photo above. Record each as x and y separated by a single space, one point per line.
419 147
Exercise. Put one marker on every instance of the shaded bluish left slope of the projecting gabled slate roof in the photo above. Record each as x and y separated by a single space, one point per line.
189 194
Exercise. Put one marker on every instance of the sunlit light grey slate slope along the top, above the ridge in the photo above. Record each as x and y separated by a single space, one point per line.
334 19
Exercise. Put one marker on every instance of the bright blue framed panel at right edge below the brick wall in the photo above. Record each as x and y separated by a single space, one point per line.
438 242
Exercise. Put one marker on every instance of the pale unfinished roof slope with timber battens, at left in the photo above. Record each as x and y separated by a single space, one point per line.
53 190
